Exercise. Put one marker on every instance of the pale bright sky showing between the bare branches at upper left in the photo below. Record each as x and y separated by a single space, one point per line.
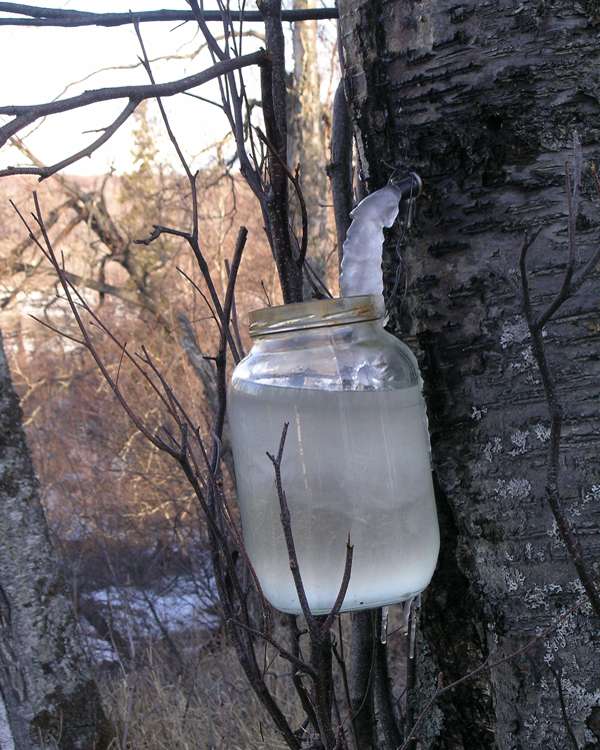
37 64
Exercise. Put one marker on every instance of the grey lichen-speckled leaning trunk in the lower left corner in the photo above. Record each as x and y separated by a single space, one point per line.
47 695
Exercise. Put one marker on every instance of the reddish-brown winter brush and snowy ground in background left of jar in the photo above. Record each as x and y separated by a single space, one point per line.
127 527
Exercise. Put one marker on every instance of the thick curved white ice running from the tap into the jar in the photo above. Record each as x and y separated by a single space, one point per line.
363 246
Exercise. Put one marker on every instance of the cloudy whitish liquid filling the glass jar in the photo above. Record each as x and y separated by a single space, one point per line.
355 462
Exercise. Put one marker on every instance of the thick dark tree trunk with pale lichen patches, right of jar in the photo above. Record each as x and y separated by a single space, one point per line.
482 99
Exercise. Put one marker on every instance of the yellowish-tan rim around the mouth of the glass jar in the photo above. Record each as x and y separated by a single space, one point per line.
315 314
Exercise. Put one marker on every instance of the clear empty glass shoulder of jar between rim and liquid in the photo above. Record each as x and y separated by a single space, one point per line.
347 358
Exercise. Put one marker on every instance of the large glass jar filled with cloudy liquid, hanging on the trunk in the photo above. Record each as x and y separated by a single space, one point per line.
356 459
